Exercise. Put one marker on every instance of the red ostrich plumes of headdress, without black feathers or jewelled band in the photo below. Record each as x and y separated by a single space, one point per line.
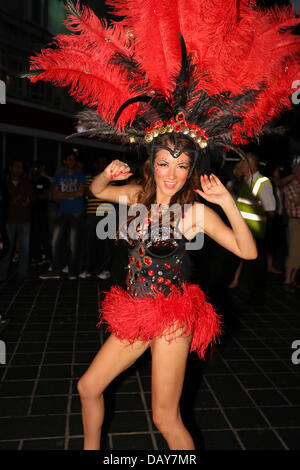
235 47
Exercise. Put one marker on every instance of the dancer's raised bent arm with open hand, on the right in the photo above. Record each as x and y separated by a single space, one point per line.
238 239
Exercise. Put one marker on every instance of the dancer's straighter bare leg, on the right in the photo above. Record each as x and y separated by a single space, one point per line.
168 371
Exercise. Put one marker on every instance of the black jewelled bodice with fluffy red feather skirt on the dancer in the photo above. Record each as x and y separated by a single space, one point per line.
158 302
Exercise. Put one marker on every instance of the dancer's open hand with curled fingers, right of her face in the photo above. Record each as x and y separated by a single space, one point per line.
213 190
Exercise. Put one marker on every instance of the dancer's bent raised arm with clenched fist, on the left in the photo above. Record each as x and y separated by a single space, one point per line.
115 171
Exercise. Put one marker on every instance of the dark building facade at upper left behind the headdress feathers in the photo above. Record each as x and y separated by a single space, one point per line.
36 118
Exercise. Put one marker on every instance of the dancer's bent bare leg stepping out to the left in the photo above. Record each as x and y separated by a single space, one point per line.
113 358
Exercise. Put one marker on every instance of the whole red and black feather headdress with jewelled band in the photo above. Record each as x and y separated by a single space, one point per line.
218 75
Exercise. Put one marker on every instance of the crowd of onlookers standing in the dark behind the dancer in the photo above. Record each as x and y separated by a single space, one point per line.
51 222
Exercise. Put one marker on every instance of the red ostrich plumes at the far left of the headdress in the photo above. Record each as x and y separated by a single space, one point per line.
81 61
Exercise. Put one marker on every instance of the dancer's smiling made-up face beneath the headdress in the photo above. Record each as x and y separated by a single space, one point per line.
170 174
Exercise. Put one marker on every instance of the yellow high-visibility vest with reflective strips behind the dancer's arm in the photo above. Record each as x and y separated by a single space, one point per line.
250 206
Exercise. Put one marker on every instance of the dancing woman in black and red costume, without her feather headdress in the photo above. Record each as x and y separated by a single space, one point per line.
179 333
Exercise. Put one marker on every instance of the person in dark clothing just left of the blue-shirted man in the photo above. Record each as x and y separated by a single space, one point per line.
40 238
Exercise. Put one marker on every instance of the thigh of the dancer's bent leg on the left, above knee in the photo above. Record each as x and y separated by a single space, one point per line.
113 358
